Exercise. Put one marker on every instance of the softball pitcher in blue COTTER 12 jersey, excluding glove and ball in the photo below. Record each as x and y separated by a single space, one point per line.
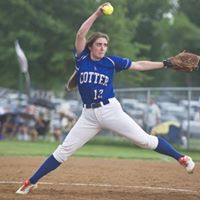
101 110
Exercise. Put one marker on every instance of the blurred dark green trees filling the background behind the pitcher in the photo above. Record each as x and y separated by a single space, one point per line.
139 29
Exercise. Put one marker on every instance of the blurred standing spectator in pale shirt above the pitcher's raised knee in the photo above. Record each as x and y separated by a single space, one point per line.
151 115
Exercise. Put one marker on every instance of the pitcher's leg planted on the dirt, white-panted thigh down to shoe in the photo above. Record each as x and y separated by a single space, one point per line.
85 128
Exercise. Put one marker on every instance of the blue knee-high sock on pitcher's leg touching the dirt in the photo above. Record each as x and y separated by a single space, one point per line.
50 164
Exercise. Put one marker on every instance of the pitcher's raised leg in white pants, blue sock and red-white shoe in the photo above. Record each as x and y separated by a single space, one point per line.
118 121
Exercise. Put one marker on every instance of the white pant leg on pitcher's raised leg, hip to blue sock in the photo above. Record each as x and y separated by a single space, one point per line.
115 119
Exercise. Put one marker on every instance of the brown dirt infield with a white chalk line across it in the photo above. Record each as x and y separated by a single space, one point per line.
101 179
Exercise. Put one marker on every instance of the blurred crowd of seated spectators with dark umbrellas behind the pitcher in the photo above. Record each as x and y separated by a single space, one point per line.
33 120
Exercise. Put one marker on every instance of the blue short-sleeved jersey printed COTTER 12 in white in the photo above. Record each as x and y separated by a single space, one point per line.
95 78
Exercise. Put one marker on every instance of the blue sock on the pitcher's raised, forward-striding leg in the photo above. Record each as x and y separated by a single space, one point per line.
165 148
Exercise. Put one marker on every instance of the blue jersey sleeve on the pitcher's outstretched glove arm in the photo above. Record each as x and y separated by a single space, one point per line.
121 63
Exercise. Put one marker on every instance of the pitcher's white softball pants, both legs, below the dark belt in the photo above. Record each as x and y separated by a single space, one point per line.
91 121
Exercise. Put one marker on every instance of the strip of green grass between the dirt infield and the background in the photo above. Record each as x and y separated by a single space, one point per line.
104 147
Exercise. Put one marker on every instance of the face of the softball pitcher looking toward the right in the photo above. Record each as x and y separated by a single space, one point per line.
98 48
